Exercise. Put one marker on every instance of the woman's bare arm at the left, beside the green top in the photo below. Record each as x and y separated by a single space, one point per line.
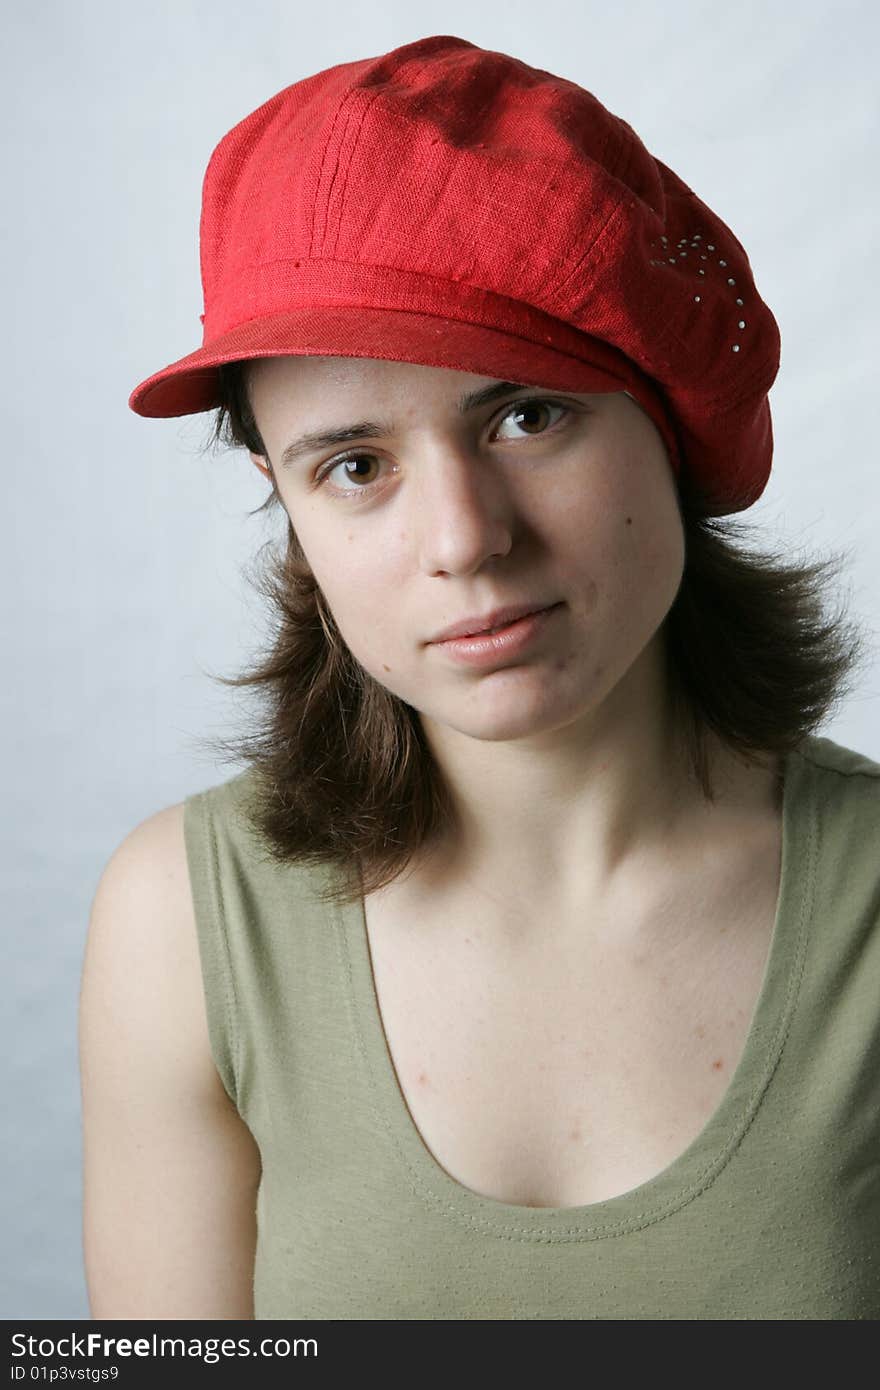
170 1170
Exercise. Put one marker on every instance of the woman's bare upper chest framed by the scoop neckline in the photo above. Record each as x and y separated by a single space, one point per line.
567 1064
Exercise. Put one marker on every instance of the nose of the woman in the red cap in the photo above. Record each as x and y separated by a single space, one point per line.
466 511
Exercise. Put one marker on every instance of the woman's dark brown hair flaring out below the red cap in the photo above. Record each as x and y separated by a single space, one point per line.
344 774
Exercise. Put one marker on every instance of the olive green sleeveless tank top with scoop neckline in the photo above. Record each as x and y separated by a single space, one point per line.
774 1211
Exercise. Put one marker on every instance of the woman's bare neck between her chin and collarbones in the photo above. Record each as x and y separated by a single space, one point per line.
576 812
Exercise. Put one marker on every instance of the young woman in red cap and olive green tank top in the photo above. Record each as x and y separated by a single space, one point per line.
529 970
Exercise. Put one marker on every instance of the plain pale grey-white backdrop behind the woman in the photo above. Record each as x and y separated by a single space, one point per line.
124 546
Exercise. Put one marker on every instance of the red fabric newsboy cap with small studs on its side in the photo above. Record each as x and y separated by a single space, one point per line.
453 206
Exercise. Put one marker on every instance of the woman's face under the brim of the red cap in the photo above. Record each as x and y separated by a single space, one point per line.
537 497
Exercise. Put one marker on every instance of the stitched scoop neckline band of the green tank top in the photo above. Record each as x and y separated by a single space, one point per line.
708 1153
